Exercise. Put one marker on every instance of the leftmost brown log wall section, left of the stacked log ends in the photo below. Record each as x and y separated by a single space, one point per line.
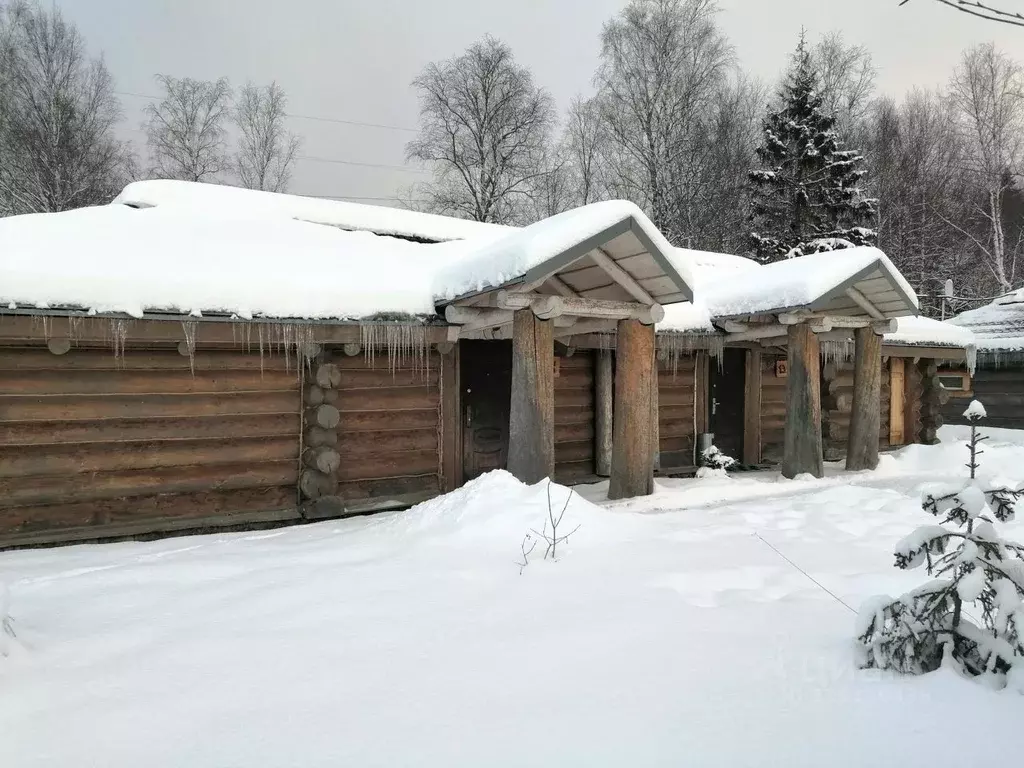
96 446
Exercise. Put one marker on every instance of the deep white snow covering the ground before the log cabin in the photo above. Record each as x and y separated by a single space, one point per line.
674 630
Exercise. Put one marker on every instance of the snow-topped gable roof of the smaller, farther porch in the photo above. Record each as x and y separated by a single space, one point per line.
817 282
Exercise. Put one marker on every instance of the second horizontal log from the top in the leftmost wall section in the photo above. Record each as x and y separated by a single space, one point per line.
144 382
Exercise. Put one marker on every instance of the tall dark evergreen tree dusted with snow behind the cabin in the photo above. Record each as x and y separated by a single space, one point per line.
806 196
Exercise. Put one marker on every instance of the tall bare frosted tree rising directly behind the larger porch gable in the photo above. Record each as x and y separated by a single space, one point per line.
663 64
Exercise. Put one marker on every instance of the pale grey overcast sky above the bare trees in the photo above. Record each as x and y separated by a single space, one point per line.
354 60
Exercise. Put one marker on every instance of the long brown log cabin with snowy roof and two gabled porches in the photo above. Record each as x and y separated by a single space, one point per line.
195 357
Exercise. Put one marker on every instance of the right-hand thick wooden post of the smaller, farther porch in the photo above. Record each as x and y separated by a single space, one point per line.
863 444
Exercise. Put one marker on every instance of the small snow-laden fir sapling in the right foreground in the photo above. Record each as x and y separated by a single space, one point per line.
973 571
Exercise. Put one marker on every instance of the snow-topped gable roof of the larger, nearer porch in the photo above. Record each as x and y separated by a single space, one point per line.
566 245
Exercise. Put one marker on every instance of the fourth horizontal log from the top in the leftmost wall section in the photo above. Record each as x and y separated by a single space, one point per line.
107 431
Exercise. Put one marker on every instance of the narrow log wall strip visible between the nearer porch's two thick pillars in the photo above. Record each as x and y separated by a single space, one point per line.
575 416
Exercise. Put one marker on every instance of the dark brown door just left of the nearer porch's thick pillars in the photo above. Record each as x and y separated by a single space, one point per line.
487 392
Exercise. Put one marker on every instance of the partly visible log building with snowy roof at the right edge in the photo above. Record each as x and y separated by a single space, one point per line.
997 378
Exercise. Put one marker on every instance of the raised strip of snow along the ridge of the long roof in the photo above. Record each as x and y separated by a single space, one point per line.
233 201
